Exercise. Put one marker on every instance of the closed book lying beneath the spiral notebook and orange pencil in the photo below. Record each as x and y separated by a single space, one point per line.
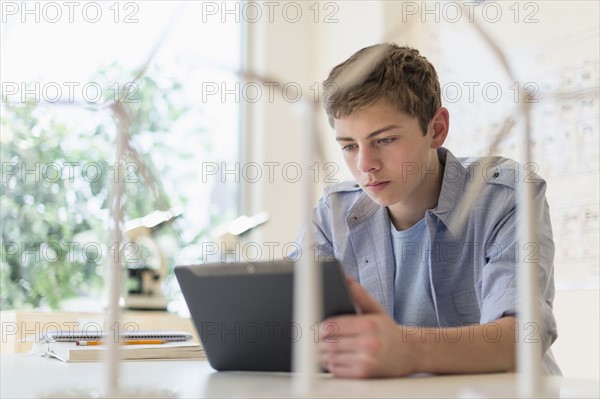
71 352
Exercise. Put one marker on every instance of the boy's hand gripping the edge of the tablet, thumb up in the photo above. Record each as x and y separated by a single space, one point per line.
365 345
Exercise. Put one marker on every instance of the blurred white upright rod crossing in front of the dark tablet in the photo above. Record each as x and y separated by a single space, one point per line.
307 281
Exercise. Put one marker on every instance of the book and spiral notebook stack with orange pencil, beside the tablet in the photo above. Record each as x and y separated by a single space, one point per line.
80 346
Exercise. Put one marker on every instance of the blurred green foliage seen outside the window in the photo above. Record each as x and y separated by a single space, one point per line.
53 226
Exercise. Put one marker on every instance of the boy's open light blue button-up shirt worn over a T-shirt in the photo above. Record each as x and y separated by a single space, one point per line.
472 267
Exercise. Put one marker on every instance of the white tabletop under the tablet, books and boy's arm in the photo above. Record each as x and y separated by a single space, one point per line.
29 376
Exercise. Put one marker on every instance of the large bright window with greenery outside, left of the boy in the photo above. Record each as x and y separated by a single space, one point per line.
64 67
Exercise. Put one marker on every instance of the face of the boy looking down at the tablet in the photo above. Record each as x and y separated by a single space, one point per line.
388 155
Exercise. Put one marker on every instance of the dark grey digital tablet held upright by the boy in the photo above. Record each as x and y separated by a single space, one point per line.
242 312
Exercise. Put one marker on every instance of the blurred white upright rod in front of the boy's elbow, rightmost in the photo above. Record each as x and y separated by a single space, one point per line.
529 354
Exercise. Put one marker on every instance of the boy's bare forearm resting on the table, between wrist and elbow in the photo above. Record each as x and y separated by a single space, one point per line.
470 349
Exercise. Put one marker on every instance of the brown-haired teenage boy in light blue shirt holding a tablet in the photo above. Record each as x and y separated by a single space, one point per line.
436 296
